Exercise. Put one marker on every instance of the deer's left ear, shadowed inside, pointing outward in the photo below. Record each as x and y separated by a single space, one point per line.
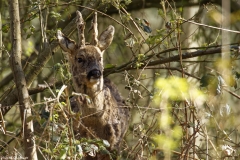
65 43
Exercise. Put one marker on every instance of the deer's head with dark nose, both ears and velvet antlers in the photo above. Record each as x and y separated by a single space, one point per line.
86 60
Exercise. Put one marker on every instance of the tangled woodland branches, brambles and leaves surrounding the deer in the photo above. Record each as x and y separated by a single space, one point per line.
176 63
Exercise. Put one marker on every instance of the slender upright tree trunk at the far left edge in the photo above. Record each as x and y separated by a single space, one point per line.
20 81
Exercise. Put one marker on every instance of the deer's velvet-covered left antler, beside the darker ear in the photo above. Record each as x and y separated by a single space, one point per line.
80 27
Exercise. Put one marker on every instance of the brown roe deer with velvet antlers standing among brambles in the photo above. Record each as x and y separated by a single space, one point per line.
104 116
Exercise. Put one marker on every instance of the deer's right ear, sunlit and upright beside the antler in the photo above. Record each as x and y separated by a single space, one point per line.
106 38
